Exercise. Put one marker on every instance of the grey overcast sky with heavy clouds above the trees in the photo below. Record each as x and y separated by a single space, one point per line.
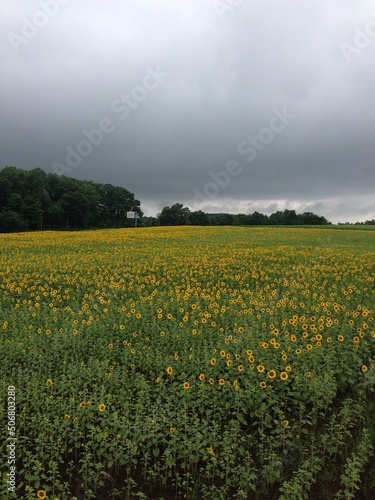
160 96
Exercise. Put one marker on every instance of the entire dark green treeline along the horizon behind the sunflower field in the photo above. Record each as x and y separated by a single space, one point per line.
34 200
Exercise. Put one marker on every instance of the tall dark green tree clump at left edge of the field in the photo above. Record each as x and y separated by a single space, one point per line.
35 200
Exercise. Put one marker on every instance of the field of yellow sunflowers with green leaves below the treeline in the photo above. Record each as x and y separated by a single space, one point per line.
190 362
